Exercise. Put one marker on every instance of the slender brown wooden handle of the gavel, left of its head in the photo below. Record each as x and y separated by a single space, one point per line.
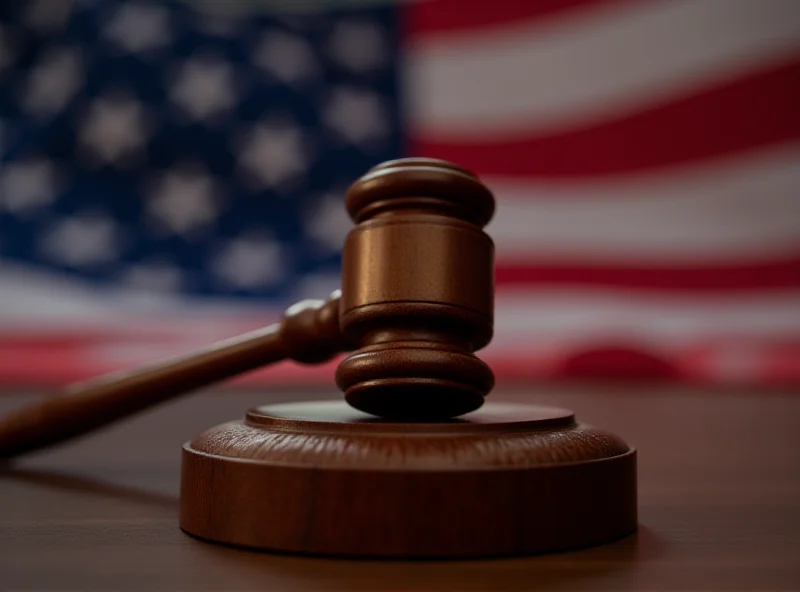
309 333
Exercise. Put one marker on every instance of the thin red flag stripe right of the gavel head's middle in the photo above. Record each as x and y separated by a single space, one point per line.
746 277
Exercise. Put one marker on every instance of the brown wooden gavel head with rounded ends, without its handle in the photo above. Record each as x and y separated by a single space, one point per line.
417 291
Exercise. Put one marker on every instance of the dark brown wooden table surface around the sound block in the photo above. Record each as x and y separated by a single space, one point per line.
719 505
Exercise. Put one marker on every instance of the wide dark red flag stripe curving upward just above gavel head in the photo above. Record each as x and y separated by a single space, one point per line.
753 111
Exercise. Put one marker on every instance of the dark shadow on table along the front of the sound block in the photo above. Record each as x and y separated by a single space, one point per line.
607 567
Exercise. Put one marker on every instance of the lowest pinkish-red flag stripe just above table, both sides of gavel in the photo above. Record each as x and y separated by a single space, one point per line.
779 364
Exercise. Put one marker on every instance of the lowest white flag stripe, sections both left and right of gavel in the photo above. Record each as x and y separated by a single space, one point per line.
523 318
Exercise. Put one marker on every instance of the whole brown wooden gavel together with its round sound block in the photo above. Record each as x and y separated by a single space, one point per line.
411 463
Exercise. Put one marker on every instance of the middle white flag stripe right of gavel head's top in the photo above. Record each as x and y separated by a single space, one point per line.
740 208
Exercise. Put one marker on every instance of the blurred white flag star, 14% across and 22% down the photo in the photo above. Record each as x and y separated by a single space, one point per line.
114 129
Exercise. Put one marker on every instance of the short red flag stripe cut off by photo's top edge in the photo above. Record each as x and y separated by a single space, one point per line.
434 17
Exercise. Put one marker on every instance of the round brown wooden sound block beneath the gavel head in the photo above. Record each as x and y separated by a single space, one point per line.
323 478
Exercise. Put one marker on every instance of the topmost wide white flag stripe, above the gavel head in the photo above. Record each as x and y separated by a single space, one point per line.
598 64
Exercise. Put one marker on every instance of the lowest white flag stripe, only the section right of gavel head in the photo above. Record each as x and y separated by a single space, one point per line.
536 316
